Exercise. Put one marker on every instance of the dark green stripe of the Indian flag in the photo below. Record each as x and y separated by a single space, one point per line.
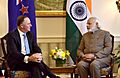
73 37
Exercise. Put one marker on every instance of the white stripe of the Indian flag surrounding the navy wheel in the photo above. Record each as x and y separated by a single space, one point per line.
80 24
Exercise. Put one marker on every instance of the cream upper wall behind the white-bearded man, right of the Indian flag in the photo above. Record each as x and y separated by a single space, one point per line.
107 12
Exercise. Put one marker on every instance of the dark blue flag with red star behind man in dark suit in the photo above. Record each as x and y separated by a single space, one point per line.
21 7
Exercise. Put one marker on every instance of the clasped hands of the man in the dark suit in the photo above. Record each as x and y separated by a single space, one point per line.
36 57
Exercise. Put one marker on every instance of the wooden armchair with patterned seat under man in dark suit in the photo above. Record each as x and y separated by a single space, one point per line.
8 72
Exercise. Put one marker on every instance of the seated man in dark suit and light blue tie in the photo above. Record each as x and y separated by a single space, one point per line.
22 58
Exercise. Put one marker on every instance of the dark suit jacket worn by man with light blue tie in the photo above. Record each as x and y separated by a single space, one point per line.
15 57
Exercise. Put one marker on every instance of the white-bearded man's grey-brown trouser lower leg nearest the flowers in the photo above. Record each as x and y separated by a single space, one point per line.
83 69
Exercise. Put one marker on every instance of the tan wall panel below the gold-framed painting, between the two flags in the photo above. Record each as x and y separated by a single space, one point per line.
51 26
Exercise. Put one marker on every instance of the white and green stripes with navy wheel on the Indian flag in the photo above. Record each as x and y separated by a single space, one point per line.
76 18
